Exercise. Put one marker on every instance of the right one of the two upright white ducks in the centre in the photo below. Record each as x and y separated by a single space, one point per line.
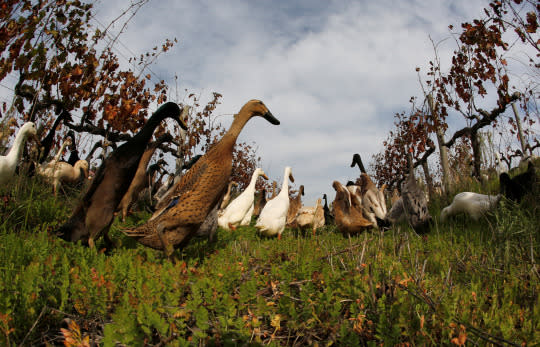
273 216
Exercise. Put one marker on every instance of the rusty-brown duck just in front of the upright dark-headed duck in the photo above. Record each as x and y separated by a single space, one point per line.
348 214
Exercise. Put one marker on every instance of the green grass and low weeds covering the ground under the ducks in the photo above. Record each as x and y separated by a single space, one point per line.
471 282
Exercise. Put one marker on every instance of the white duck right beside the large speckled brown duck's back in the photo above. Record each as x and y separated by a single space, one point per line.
240 209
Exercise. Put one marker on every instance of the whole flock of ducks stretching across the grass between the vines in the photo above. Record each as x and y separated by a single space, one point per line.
198 202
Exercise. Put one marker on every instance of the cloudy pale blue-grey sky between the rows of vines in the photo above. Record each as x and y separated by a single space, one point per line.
333 72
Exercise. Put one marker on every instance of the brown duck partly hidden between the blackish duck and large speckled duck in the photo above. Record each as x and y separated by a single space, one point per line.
141 178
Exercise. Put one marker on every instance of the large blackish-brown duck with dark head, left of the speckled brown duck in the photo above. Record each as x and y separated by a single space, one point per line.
95 212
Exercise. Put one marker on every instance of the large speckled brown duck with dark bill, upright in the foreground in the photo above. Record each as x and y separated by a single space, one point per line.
199 189
